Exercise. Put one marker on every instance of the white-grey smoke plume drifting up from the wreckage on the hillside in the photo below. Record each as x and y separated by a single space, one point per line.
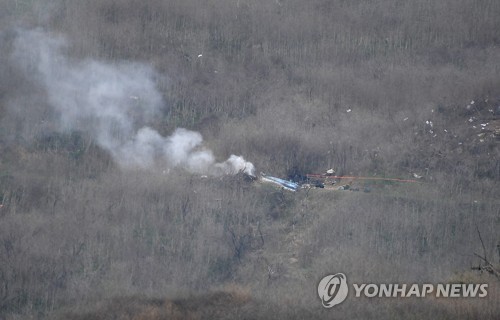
114 102
